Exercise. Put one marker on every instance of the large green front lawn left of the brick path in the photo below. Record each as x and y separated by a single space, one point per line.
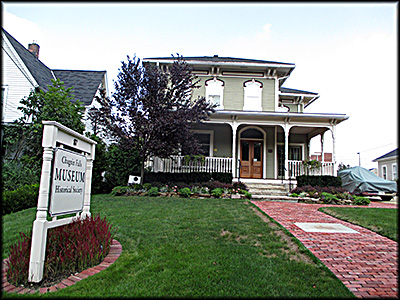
175 247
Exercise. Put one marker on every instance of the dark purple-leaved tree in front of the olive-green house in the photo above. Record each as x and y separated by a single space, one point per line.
152 110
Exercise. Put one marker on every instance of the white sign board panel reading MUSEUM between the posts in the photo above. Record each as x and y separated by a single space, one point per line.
67 182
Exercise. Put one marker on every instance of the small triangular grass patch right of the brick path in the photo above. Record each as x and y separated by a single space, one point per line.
380 220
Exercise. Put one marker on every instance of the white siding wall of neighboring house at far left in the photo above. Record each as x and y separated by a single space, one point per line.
17 84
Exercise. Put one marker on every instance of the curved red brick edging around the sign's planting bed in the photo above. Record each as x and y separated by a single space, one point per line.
112 256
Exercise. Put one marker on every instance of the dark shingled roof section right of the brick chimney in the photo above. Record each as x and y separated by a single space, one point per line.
85 83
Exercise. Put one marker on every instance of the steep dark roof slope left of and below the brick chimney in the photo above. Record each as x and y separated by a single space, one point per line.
39 70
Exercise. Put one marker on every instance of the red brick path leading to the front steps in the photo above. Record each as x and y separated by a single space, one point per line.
365 262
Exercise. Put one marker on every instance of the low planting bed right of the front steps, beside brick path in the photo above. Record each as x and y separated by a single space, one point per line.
328 195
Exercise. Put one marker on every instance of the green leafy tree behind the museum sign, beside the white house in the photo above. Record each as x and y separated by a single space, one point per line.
23 137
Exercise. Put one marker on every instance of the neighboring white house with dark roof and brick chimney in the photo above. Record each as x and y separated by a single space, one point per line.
22 71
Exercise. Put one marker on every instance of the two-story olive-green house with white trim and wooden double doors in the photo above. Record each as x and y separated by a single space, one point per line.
260 131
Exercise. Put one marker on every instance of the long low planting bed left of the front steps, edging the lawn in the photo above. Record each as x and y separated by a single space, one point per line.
212 189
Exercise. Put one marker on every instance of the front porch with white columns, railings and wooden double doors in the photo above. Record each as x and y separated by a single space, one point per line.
256 145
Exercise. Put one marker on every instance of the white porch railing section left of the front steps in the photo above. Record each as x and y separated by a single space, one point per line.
178 164
